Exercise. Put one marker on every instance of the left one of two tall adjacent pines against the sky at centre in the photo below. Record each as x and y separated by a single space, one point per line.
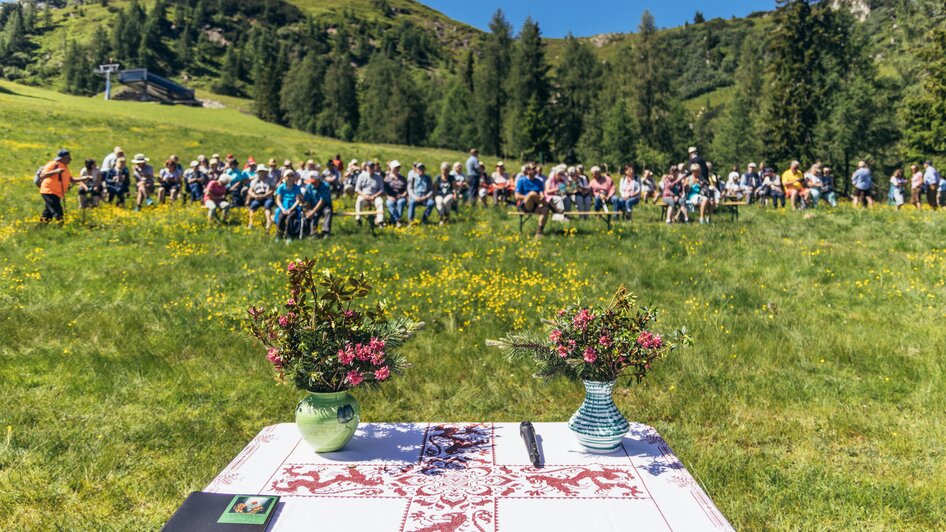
491 77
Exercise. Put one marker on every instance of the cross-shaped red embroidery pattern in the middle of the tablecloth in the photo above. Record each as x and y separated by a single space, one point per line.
456 485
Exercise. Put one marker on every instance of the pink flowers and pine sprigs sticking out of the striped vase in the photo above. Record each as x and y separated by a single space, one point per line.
599 344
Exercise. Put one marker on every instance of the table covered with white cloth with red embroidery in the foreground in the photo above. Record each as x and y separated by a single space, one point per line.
469 476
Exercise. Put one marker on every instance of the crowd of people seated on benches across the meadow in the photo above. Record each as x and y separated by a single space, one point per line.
297 198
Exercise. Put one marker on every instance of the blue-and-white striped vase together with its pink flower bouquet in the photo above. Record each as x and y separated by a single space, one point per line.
598 345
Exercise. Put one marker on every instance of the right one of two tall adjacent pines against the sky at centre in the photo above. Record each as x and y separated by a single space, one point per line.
527 122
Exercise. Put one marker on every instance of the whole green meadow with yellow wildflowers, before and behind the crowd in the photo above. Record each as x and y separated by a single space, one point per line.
814 396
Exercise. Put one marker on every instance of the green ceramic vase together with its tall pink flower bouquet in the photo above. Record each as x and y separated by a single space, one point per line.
323 344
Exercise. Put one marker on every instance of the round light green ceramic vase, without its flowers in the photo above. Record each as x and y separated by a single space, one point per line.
327 421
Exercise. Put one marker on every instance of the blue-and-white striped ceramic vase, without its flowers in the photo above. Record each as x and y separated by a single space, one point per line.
598 424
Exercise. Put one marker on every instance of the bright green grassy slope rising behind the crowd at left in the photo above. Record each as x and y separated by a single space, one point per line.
34 123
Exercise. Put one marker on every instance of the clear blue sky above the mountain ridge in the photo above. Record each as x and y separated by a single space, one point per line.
589 17
